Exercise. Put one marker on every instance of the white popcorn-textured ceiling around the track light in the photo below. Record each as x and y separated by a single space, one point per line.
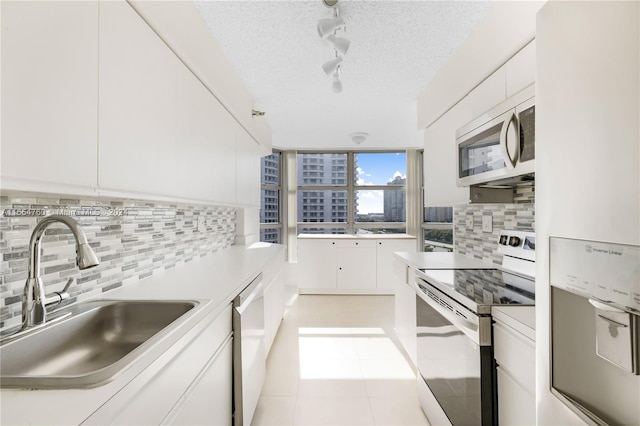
396 48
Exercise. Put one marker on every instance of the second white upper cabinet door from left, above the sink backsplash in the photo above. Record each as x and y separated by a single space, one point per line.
138 90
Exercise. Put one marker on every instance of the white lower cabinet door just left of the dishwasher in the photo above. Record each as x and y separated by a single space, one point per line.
210 397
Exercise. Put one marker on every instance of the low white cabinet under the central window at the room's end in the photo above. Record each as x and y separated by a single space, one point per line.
348 265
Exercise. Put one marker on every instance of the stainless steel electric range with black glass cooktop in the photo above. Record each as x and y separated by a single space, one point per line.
457 376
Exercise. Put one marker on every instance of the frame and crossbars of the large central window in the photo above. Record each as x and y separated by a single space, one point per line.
351 188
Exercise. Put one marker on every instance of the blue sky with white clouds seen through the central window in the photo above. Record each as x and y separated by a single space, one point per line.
377 169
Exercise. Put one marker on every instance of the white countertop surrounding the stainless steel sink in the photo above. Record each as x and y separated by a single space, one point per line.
214 279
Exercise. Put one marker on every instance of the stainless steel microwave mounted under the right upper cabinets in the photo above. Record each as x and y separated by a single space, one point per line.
499 147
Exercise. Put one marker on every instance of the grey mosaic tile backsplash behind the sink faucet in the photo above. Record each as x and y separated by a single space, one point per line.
133 240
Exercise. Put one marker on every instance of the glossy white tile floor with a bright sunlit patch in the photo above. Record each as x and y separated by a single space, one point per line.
336 361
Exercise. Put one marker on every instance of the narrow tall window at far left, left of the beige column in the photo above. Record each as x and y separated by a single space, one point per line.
271 190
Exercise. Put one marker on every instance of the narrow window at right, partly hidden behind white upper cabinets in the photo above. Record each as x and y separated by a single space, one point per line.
437 227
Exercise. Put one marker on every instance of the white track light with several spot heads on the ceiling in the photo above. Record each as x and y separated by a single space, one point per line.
327 29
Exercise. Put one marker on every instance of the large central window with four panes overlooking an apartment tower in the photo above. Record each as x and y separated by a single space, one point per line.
351 192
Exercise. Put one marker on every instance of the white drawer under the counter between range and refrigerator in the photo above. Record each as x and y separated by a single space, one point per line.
515 352
